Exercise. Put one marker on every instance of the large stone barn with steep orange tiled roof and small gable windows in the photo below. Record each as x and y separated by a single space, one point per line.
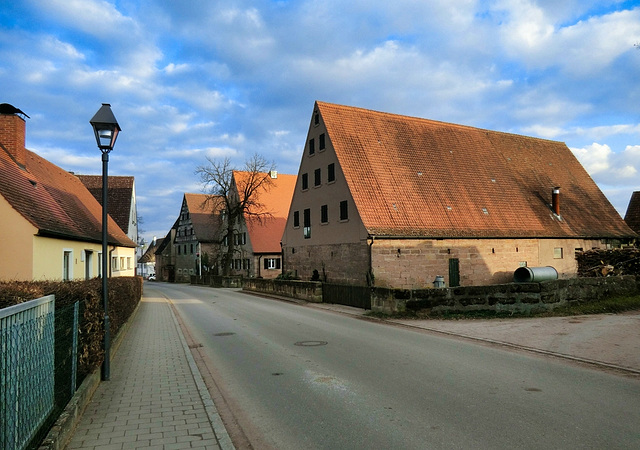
391 200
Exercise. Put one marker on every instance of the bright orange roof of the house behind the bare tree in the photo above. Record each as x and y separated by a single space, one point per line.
275 199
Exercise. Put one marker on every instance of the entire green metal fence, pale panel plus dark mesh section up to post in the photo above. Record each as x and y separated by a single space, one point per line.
38 368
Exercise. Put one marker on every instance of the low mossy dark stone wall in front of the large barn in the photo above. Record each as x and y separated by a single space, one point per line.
516 297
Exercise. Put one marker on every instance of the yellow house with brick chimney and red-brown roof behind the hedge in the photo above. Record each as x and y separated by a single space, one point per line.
50 224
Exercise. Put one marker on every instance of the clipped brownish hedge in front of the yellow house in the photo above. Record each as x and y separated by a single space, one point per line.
124 295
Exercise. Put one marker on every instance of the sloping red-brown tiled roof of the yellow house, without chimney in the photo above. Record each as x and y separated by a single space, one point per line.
55 201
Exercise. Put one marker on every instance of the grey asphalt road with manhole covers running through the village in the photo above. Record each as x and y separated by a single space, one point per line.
305 378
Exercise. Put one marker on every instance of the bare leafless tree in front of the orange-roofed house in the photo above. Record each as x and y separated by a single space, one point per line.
237 197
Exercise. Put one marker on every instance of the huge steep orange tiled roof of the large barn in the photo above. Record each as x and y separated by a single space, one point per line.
417 177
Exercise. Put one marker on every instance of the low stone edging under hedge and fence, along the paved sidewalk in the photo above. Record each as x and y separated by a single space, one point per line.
63 429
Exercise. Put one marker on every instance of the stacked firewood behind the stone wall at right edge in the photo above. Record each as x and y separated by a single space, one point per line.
604 263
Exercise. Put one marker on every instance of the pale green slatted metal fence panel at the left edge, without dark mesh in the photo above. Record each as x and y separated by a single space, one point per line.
27 341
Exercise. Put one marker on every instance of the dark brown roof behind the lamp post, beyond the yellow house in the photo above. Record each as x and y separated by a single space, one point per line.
119 196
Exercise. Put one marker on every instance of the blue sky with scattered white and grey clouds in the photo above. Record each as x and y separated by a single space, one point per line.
193 79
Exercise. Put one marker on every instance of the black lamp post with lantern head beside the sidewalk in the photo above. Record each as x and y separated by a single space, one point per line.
106 128
